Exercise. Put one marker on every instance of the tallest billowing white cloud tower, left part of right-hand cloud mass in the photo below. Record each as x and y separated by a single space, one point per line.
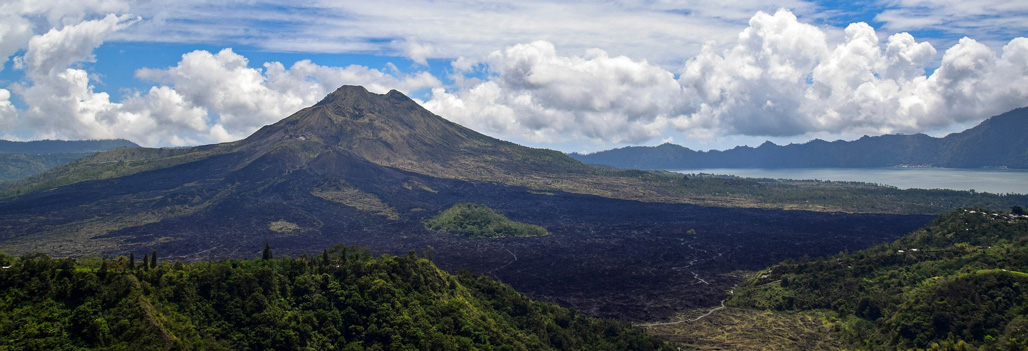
757 87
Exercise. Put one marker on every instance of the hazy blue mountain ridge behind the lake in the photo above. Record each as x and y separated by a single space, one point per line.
999 143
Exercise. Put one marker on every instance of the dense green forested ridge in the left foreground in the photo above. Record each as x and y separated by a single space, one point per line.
343 300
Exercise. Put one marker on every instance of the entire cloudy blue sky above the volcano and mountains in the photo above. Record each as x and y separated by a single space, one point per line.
574 77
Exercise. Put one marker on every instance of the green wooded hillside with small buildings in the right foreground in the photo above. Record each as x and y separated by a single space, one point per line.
959 284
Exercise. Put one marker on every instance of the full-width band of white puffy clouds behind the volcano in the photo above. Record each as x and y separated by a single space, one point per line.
778 78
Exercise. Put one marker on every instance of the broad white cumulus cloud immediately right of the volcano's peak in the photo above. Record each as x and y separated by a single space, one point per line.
535 94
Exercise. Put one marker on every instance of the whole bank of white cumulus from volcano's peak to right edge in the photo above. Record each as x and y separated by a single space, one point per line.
781 78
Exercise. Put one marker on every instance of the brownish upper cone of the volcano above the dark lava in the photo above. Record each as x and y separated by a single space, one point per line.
392 130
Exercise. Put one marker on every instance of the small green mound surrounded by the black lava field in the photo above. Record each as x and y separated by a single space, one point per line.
475 221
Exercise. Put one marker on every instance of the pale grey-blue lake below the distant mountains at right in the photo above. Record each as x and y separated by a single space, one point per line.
998 182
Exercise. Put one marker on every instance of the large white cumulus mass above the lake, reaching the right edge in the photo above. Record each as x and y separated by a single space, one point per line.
783 79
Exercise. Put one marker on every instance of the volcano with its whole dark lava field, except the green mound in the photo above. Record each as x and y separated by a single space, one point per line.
368 169
